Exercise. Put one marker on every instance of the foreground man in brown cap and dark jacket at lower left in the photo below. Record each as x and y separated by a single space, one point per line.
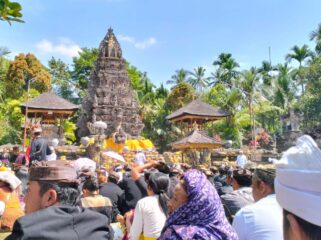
52 210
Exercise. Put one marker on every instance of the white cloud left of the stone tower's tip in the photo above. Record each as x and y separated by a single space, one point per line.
64 47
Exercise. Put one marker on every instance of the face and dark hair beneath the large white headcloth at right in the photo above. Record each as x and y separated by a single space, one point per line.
295 228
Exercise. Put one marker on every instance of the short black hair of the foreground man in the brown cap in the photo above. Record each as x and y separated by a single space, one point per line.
67 193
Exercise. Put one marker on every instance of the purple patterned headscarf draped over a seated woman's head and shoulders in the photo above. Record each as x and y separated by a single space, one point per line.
202 217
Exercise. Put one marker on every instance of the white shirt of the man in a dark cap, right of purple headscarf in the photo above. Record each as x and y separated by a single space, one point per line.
262 220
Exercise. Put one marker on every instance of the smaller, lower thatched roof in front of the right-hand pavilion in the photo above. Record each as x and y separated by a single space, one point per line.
196 137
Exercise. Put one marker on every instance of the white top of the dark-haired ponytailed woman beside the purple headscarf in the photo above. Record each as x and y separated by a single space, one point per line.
149 219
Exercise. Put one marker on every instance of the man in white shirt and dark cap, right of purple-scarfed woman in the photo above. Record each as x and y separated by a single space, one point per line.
262 220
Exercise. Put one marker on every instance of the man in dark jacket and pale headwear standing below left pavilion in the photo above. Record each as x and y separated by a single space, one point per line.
39 146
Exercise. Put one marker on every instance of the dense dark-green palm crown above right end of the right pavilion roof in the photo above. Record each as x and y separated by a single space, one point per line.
226 69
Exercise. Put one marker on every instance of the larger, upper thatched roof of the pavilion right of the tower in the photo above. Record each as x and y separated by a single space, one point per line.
198 108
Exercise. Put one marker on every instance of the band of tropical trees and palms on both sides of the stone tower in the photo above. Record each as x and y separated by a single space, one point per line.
256 98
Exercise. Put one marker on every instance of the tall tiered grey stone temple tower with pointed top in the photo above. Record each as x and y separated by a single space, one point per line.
110 97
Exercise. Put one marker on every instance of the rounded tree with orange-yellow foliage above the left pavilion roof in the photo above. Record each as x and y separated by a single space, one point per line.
22 70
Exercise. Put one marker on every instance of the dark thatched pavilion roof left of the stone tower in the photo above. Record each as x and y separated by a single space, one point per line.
49 101
